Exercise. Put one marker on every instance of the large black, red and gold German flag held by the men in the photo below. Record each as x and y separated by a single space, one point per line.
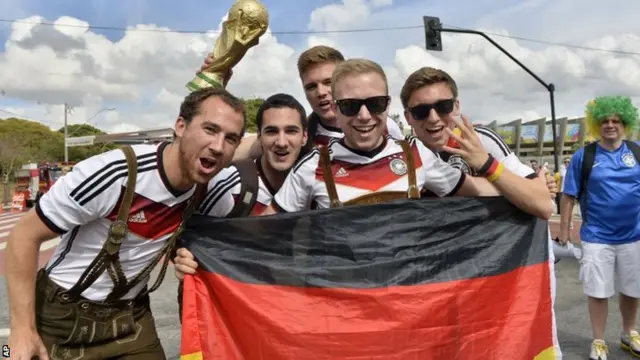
438 279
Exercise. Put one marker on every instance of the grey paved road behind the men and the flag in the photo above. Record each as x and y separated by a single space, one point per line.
571 311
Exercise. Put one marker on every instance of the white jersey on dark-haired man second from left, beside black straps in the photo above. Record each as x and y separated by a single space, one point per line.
224 190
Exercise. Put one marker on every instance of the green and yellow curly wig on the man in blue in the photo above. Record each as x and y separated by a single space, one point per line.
603 107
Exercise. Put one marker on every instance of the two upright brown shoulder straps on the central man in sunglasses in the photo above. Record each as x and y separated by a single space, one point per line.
413 191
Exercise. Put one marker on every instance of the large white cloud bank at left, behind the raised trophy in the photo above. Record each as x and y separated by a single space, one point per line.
143 74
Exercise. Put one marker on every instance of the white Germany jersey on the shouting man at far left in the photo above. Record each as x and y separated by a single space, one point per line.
82 205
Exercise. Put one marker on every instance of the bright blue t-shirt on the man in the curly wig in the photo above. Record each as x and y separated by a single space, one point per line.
613 191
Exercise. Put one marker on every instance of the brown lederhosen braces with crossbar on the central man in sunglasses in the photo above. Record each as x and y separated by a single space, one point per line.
376 197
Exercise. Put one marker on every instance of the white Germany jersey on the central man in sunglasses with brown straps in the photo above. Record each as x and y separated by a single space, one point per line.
357 173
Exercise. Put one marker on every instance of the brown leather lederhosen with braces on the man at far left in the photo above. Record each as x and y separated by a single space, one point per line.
74 327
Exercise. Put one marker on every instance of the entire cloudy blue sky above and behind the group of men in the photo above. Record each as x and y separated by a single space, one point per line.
488 83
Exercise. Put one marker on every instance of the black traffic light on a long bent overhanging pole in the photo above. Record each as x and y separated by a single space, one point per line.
433 29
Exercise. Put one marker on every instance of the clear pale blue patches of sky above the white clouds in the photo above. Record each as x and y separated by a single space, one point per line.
205 14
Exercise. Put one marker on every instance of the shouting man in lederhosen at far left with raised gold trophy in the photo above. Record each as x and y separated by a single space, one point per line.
91 301
